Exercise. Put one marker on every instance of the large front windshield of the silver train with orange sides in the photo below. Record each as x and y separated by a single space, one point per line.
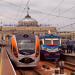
26 47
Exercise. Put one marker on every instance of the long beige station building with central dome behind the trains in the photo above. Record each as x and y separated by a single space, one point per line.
27 26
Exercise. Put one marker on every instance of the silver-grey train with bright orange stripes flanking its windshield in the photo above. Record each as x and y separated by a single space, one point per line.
24 50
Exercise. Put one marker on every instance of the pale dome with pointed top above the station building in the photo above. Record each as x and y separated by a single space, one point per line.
28 21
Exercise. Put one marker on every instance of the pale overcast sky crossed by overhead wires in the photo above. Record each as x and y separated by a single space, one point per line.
57 13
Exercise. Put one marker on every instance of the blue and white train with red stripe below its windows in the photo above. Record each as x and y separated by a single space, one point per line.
50 47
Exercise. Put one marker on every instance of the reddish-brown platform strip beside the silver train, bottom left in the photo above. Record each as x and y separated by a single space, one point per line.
7 68
